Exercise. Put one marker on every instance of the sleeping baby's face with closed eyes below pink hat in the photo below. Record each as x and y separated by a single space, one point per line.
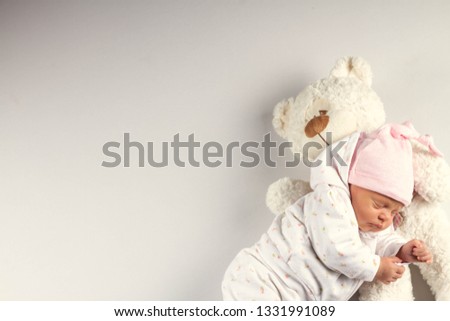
374 211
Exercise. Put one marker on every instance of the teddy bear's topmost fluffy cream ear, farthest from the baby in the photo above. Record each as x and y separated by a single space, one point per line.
353 67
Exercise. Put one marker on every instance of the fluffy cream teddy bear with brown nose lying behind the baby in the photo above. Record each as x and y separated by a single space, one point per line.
333 108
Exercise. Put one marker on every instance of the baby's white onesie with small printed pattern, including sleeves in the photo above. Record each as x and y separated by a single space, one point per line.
314 250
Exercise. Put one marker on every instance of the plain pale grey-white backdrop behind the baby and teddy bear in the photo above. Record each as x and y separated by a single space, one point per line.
77 74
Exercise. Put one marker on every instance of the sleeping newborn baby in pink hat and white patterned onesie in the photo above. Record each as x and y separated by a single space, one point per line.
325 245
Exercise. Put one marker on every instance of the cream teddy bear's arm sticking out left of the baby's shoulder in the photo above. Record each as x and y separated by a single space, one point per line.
284 192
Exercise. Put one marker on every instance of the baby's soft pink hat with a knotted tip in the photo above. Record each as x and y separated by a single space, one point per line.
382 161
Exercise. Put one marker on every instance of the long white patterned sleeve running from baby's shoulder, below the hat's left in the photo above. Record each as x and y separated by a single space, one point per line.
333 230
